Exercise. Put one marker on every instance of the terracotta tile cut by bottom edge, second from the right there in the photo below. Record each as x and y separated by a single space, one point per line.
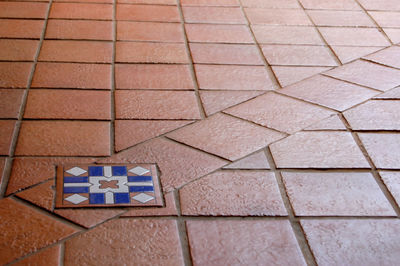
238 242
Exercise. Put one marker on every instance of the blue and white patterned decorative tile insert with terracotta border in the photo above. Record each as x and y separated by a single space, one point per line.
108 186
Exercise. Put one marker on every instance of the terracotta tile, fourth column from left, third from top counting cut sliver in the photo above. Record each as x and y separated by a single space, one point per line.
218 33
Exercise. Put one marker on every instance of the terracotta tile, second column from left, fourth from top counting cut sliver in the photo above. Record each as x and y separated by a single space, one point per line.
76 51
